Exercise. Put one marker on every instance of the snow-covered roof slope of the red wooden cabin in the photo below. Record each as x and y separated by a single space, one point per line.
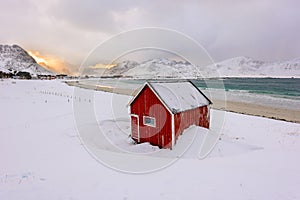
180 96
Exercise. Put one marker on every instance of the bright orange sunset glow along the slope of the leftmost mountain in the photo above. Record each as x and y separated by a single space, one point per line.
50 62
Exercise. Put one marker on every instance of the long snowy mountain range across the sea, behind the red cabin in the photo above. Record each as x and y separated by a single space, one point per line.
234 67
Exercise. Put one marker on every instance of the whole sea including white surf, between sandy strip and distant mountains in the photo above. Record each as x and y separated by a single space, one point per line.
273 92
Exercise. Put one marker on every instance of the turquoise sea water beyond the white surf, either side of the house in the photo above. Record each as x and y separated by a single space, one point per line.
288 88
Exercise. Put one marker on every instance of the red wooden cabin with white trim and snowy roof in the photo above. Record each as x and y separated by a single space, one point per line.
160 112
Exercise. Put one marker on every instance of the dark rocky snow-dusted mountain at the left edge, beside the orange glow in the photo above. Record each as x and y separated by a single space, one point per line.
15 59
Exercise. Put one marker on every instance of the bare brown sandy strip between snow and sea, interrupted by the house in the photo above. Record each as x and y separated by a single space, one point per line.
231 106
